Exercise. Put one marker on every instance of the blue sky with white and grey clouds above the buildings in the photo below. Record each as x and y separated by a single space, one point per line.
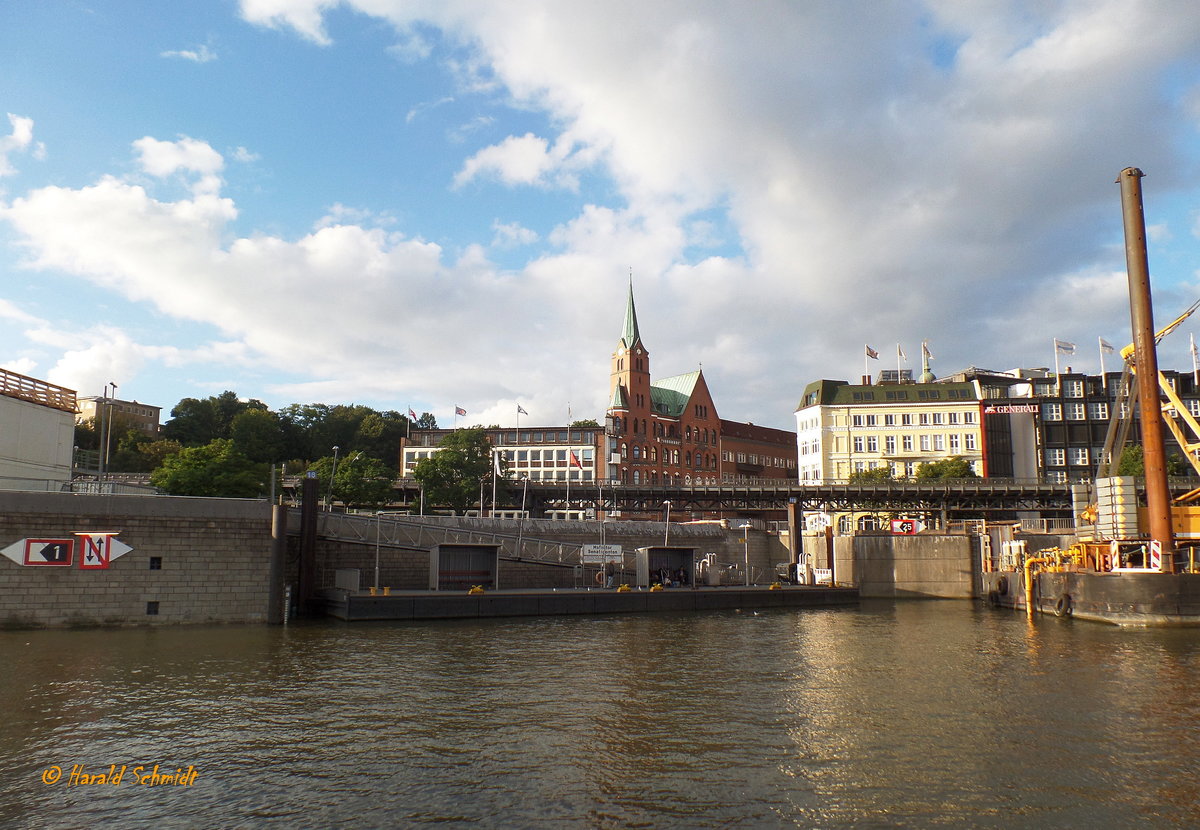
428 206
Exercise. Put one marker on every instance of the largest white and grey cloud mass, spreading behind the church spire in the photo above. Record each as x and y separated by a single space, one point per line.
935 171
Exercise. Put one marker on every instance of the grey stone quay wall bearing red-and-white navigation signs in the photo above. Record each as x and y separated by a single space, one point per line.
213 558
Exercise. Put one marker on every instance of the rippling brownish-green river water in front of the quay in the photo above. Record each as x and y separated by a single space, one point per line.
921 714
